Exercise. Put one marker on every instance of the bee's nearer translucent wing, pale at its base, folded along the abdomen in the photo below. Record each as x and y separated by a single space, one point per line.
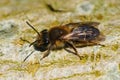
83 36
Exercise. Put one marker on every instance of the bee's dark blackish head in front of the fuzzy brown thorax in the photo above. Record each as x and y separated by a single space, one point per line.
42 41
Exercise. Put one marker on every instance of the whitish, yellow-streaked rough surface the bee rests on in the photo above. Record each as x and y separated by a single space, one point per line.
98 62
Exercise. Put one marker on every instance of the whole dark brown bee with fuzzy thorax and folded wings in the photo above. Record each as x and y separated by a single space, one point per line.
70 35
